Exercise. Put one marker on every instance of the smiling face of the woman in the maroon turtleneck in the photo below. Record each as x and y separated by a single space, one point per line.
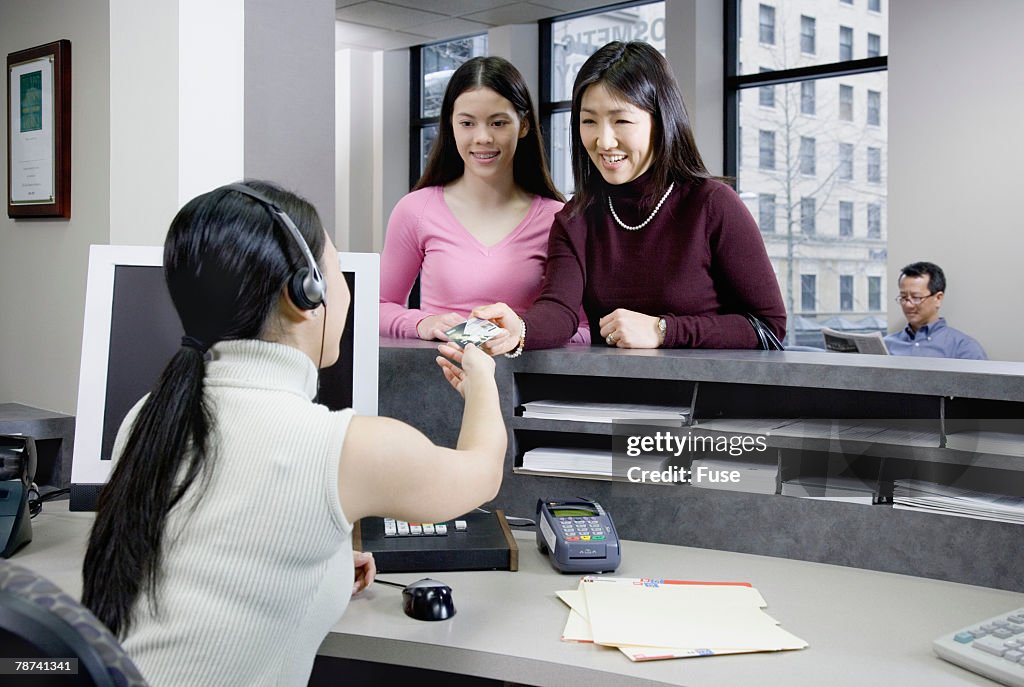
618 136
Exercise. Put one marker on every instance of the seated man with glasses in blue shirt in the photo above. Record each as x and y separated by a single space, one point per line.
922 287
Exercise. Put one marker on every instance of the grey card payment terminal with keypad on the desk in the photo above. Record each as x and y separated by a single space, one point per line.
578 536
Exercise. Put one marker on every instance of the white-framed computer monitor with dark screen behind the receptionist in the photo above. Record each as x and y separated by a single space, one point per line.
132 331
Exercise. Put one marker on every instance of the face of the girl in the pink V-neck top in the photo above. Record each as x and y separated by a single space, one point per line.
487 131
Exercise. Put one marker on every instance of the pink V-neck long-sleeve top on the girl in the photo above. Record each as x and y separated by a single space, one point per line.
458 273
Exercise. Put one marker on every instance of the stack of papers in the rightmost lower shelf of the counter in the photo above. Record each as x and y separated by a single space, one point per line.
921 496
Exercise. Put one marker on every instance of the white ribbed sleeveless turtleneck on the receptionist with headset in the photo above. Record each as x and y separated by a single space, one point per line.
257 573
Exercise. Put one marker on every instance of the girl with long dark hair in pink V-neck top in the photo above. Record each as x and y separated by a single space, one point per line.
476 228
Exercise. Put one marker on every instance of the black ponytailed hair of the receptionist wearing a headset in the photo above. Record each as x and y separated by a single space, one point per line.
226 264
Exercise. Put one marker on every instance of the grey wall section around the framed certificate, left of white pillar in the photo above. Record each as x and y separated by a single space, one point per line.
42 262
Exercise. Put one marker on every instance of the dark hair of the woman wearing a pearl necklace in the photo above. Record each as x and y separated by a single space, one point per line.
637 73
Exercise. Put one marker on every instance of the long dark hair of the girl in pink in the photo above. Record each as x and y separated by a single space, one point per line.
530 168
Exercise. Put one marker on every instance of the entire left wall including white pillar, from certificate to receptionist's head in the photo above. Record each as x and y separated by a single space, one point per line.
157 117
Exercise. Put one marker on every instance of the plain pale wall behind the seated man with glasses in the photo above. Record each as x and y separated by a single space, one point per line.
956 108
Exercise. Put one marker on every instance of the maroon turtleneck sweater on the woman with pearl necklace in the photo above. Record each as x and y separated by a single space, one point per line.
701 264
